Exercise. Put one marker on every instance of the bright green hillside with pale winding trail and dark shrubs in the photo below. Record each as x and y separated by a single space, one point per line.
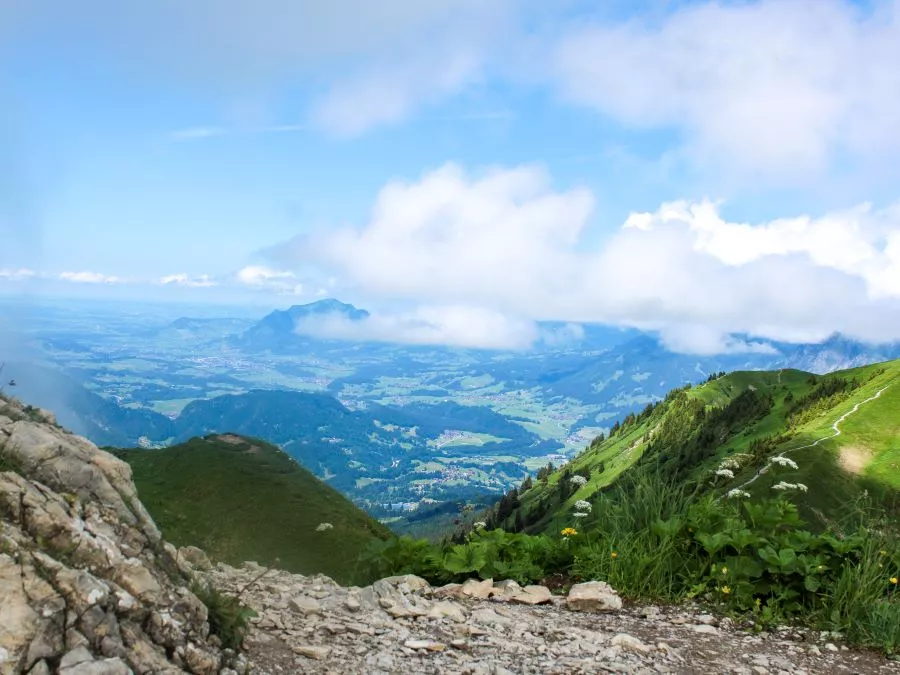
743 419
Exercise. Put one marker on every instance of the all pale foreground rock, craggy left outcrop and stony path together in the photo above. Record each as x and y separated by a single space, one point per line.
88 586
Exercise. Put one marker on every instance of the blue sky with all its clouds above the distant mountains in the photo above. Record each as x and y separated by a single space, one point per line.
463 169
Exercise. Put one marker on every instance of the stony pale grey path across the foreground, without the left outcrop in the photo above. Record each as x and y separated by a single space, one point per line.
402 625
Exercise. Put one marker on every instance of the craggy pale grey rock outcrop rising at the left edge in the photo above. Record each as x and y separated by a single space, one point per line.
88 585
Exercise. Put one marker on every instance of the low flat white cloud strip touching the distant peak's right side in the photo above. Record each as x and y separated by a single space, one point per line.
456 326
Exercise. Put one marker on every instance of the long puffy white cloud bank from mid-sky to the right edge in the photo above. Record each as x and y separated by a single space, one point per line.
508 242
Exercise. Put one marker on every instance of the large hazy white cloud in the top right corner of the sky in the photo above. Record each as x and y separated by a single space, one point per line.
775 87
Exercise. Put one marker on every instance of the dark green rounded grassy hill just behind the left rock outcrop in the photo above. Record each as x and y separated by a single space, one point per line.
241 499
